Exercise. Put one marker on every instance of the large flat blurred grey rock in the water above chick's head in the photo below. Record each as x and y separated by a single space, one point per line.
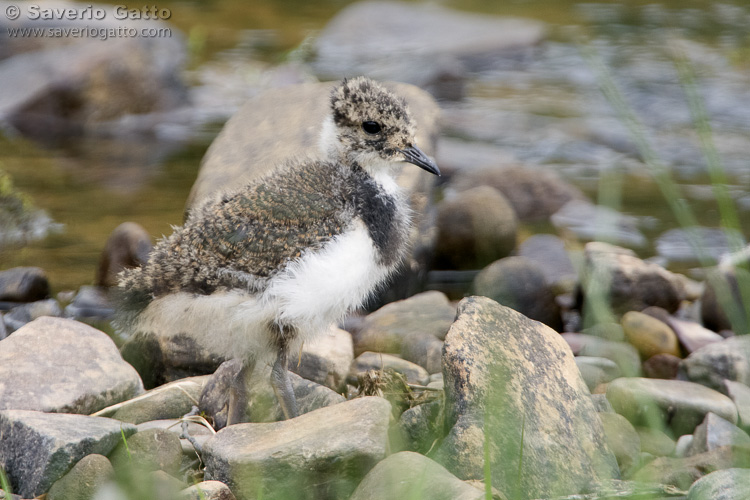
426 45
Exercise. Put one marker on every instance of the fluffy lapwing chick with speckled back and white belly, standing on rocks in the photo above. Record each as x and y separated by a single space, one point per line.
255 273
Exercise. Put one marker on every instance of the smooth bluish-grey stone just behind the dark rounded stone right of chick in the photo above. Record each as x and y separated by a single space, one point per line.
547 252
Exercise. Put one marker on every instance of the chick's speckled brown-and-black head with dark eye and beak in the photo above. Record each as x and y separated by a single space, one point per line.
373 127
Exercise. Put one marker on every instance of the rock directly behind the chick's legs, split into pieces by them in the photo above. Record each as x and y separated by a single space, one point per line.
263 405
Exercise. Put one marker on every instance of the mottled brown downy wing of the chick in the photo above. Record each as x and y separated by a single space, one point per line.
243 239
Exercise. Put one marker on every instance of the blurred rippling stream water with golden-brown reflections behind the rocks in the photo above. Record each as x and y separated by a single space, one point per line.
539 107
